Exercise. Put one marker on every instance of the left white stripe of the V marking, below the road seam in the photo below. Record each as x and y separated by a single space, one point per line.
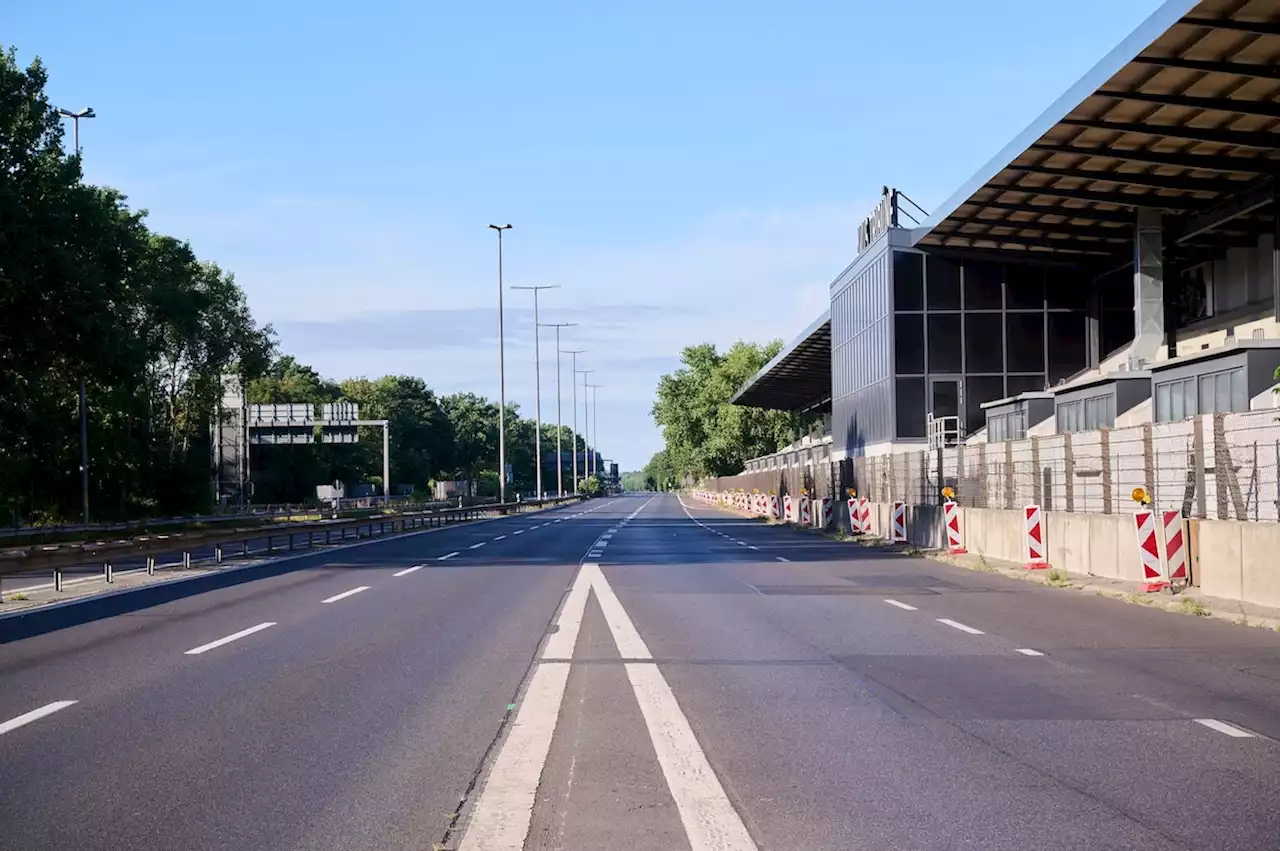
506 807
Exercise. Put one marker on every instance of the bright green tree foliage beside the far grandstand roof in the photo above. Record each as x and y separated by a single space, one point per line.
705 434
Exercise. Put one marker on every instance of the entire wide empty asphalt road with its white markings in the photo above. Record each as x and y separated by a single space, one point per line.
675 679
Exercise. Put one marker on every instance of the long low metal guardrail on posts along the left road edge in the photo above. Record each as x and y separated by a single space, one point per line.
57 557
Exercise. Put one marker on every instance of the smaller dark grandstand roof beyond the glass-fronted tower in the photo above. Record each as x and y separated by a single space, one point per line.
799 378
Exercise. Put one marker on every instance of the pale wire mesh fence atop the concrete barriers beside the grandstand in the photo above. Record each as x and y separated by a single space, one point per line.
1224 466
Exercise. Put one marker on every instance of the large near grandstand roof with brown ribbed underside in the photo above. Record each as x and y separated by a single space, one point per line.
1181 118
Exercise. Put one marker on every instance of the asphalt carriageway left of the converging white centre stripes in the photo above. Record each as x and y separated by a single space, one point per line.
346 725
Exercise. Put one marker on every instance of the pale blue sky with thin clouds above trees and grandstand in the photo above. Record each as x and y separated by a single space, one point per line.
683 172
